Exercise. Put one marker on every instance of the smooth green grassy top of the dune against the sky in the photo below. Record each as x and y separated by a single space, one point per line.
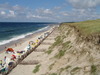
87 27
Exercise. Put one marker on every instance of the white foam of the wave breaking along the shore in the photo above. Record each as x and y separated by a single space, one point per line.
14 38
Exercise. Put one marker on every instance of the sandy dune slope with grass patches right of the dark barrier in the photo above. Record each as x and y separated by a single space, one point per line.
80 57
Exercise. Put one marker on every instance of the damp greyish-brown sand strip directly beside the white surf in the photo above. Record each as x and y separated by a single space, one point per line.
21 40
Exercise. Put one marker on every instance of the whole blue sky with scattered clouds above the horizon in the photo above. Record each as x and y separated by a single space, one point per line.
49 10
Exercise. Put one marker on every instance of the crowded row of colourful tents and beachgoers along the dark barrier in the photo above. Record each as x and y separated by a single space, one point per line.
8 62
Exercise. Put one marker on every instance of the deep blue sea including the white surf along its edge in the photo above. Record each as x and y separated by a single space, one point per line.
13 31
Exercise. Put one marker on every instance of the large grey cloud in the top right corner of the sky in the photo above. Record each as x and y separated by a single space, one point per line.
84 3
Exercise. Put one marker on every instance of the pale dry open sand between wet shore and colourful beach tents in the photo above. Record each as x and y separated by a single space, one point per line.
21 44
